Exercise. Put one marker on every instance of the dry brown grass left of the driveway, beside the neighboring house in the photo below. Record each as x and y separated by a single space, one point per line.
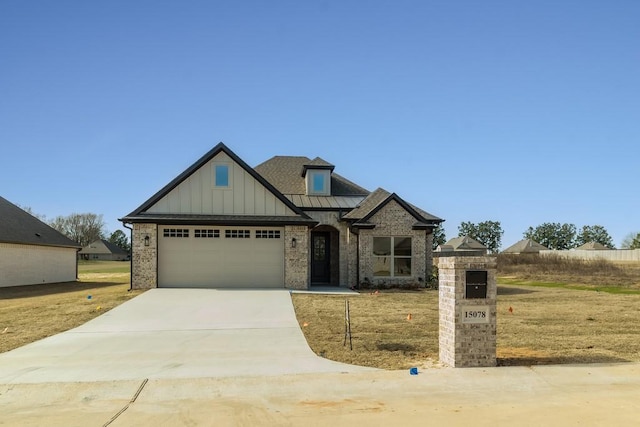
30 313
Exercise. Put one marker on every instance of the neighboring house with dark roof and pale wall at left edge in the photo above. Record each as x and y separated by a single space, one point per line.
31 252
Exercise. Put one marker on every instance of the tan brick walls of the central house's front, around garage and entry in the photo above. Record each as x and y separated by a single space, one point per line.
346 270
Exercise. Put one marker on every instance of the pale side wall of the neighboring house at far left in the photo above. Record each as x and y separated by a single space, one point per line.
31 264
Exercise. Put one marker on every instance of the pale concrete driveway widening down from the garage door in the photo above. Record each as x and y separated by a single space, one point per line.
175 333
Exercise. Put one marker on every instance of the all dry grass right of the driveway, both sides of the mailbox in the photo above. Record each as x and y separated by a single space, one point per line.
546 326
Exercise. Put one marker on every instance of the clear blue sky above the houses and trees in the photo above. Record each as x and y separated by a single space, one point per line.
518 112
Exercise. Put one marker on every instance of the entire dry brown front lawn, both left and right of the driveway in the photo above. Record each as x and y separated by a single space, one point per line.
538 323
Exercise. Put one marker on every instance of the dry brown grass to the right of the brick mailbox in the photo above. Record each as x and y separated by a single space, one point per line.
557 325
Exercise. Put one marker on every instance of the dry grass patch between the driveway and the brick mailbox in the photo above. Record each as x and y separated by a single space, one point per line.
382 335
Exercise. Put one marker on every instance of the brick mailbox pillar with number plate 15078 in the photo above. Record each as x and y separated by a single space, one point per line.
467 311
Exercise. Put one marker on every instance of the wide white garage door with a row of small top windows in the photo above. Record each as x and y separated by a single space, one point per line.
221 257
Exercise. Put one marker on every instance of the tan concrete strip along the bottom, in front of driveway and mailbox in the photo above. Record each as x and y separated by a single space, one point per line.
586 395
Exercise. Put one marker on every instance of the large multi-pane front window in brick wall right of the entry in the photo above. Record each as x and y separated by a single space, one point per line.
392 256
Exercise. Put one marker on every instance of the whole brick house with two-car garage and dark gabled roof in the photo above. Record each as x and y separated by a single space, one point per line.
289 222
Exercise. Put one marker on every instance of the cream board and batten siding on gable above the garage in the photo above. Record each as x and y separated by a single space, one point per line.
198 195
